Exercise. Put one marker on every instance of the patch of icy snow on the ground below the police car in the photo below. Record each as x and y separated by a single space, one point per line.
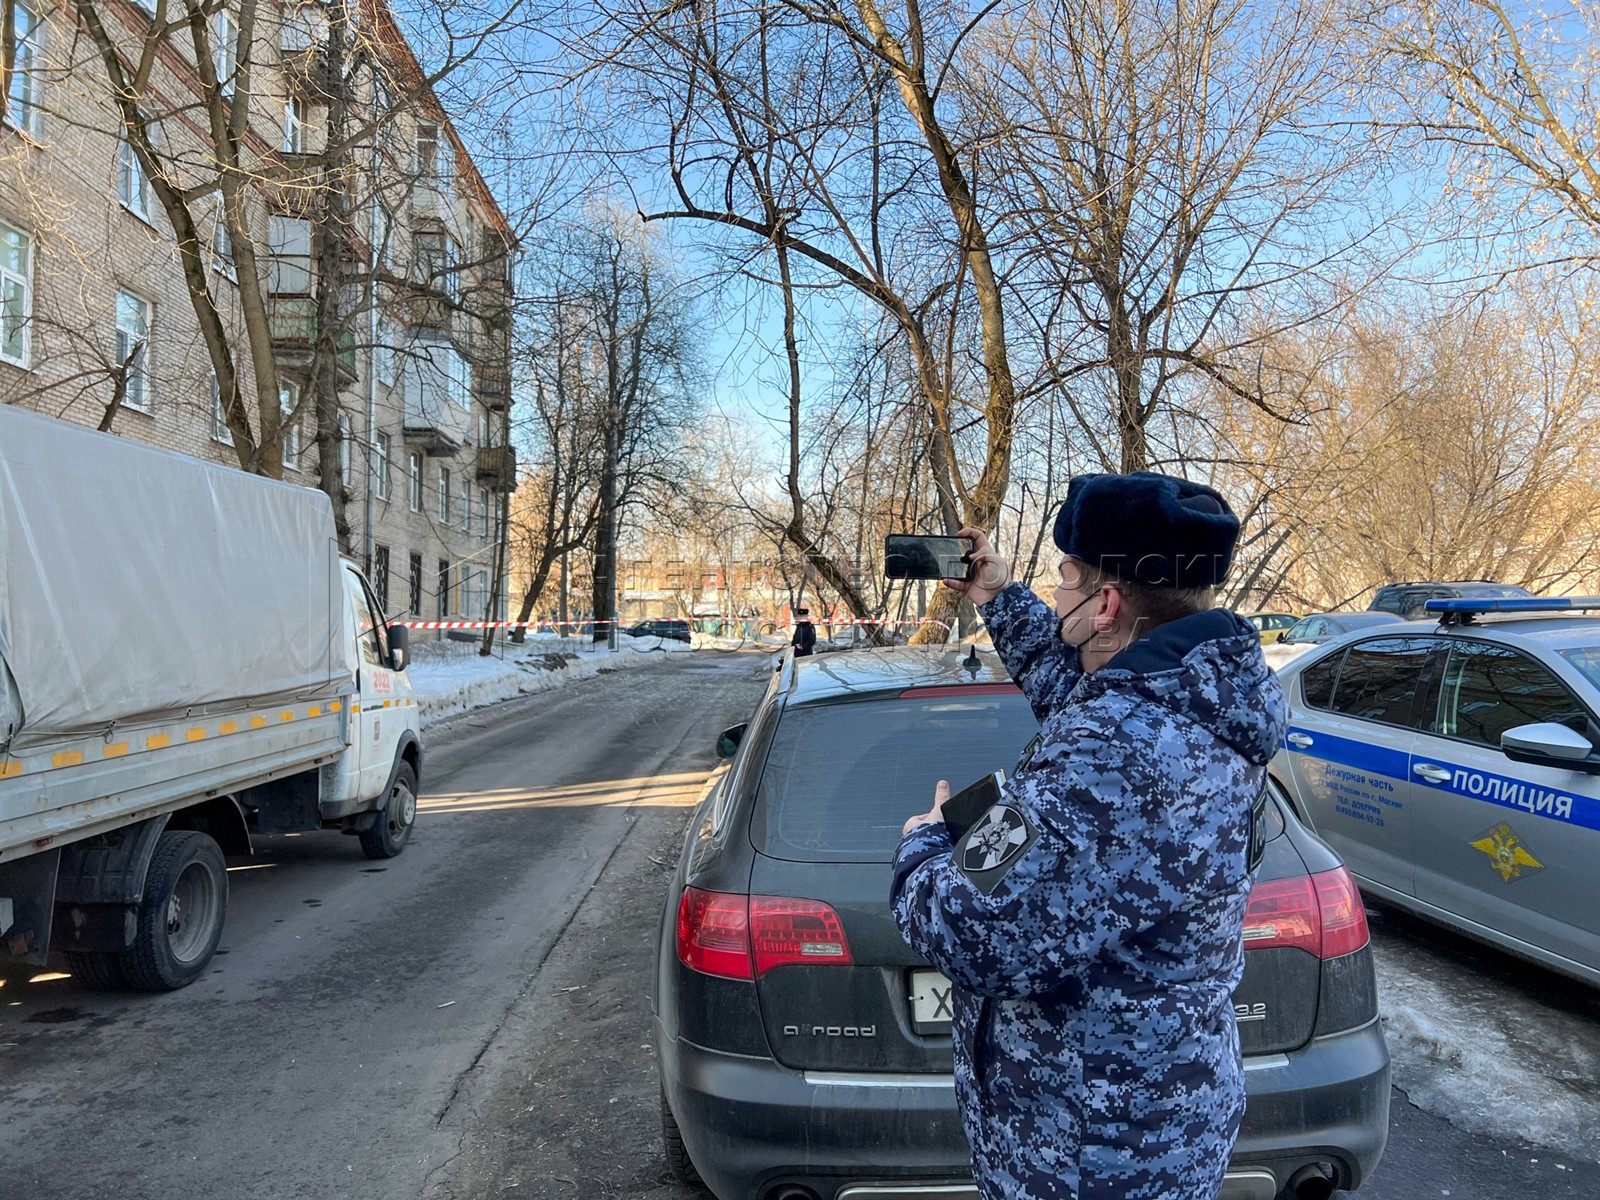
1511 1071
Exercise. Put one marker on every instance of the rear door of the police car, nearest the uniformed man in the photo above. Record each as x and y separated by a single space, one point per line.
1350 742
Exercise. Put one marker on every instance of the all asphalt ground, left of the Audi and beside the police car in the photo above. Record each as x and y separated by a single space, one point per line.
470 1022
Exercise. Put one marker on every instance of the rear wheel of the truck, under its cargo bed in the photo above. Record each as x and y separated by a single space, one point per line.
182 916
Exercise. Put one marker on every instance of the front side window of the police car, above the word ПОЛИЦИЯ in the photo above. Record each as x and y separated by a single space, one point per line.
1494 689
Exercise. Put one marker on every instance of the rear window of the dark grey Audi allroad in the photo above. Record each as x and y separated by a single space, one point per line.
841 780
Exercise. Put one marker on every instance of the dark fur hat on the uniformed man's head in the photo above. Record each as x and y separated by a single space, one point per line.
1148 529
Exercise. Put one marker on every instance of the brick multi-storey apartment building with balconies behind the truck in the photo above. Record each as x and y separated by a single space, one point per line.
380 321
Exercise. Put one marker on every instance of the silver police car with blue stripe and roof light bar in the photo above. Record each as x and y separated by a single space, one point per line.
1457 770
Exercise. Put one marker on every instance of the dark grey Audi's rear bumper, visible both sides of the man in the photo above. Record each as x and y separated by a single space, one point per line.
753 1127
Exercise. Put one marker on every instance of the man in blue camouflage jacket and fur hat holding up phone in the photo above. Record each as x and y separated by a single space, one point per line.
1094 921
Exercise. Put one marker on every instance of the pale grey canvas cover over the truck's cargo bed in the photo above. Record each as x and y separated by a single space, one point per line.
137 583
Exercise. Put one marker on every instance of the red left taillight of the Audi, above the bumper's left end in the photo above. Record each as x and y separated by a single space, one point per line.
746 937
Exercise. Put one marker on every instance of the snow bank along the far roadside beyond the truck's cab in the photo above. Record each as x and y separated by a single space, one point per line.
452 678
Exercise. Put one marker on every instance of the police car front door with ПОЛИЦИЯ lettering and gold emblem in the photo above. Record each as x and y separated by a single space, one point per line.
1498 842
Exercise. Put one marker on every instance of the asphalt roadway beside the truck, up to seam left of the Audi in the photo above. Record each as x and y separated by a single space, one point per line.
353 1002
